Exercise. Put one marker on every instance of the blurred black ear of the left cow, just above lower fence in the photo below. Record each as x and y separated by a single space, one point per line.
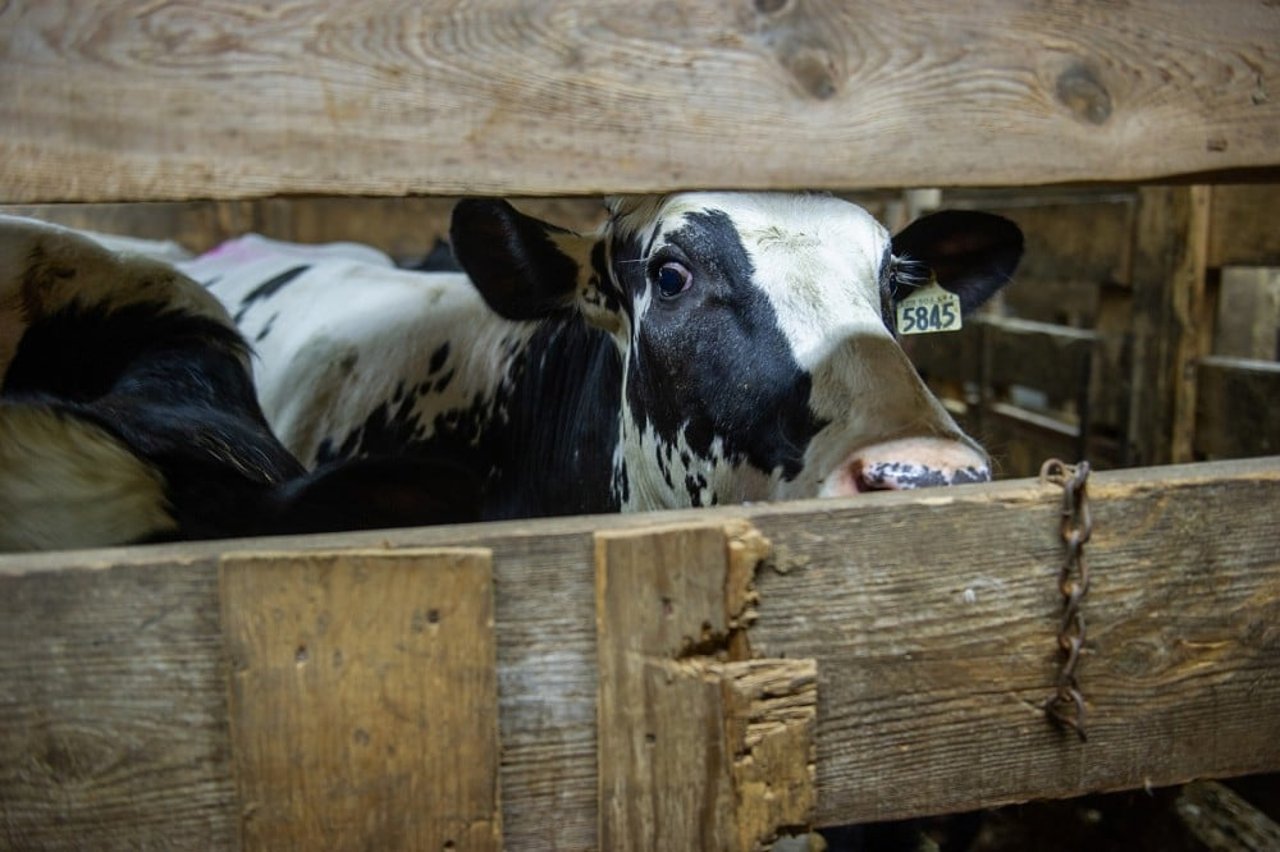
374 494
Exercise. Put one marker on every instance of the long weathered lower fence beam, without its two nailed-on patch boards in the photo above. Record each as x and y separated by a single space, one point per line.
931 617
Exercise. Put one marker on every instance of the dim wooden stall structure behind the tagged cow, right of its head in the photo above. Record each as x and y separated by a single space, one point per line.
1077 359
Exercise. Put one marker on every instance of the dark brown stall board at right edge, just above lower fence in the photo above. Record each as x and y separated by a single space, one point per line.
1238 414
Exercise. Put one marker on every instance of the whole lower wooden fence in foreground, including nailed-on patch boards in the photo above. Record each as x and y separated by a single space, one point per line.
580 684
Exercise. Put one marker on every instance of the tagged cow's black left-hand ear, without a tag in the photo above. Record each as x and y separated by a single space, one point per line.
524 268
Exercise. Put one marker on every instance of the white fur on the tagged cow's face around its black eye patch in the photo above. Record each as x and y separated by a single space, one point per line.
817 260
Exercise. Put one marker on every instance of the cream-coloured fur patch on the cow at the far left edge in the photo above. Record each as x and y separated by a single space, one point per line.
70 484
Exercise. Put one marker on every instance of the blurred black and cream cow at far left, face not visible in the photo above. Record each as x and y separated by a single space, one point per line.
129 414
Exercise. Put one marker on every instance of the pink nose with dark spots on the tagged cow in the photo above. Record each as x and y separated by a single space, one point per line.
907 464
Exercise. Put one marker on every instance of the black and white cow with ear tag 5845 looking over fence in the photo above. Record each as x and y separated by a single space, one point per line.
701 349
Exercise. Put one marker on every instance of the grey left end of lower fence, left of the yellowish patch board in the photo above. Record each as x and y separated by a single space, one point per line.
113 721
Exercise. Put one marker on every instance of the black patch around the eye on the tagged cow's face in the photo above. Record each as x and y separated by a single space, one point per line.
715 361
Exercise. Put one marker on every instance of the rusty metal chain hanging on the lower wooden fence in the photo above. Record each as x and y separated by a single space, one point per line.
1067 706
